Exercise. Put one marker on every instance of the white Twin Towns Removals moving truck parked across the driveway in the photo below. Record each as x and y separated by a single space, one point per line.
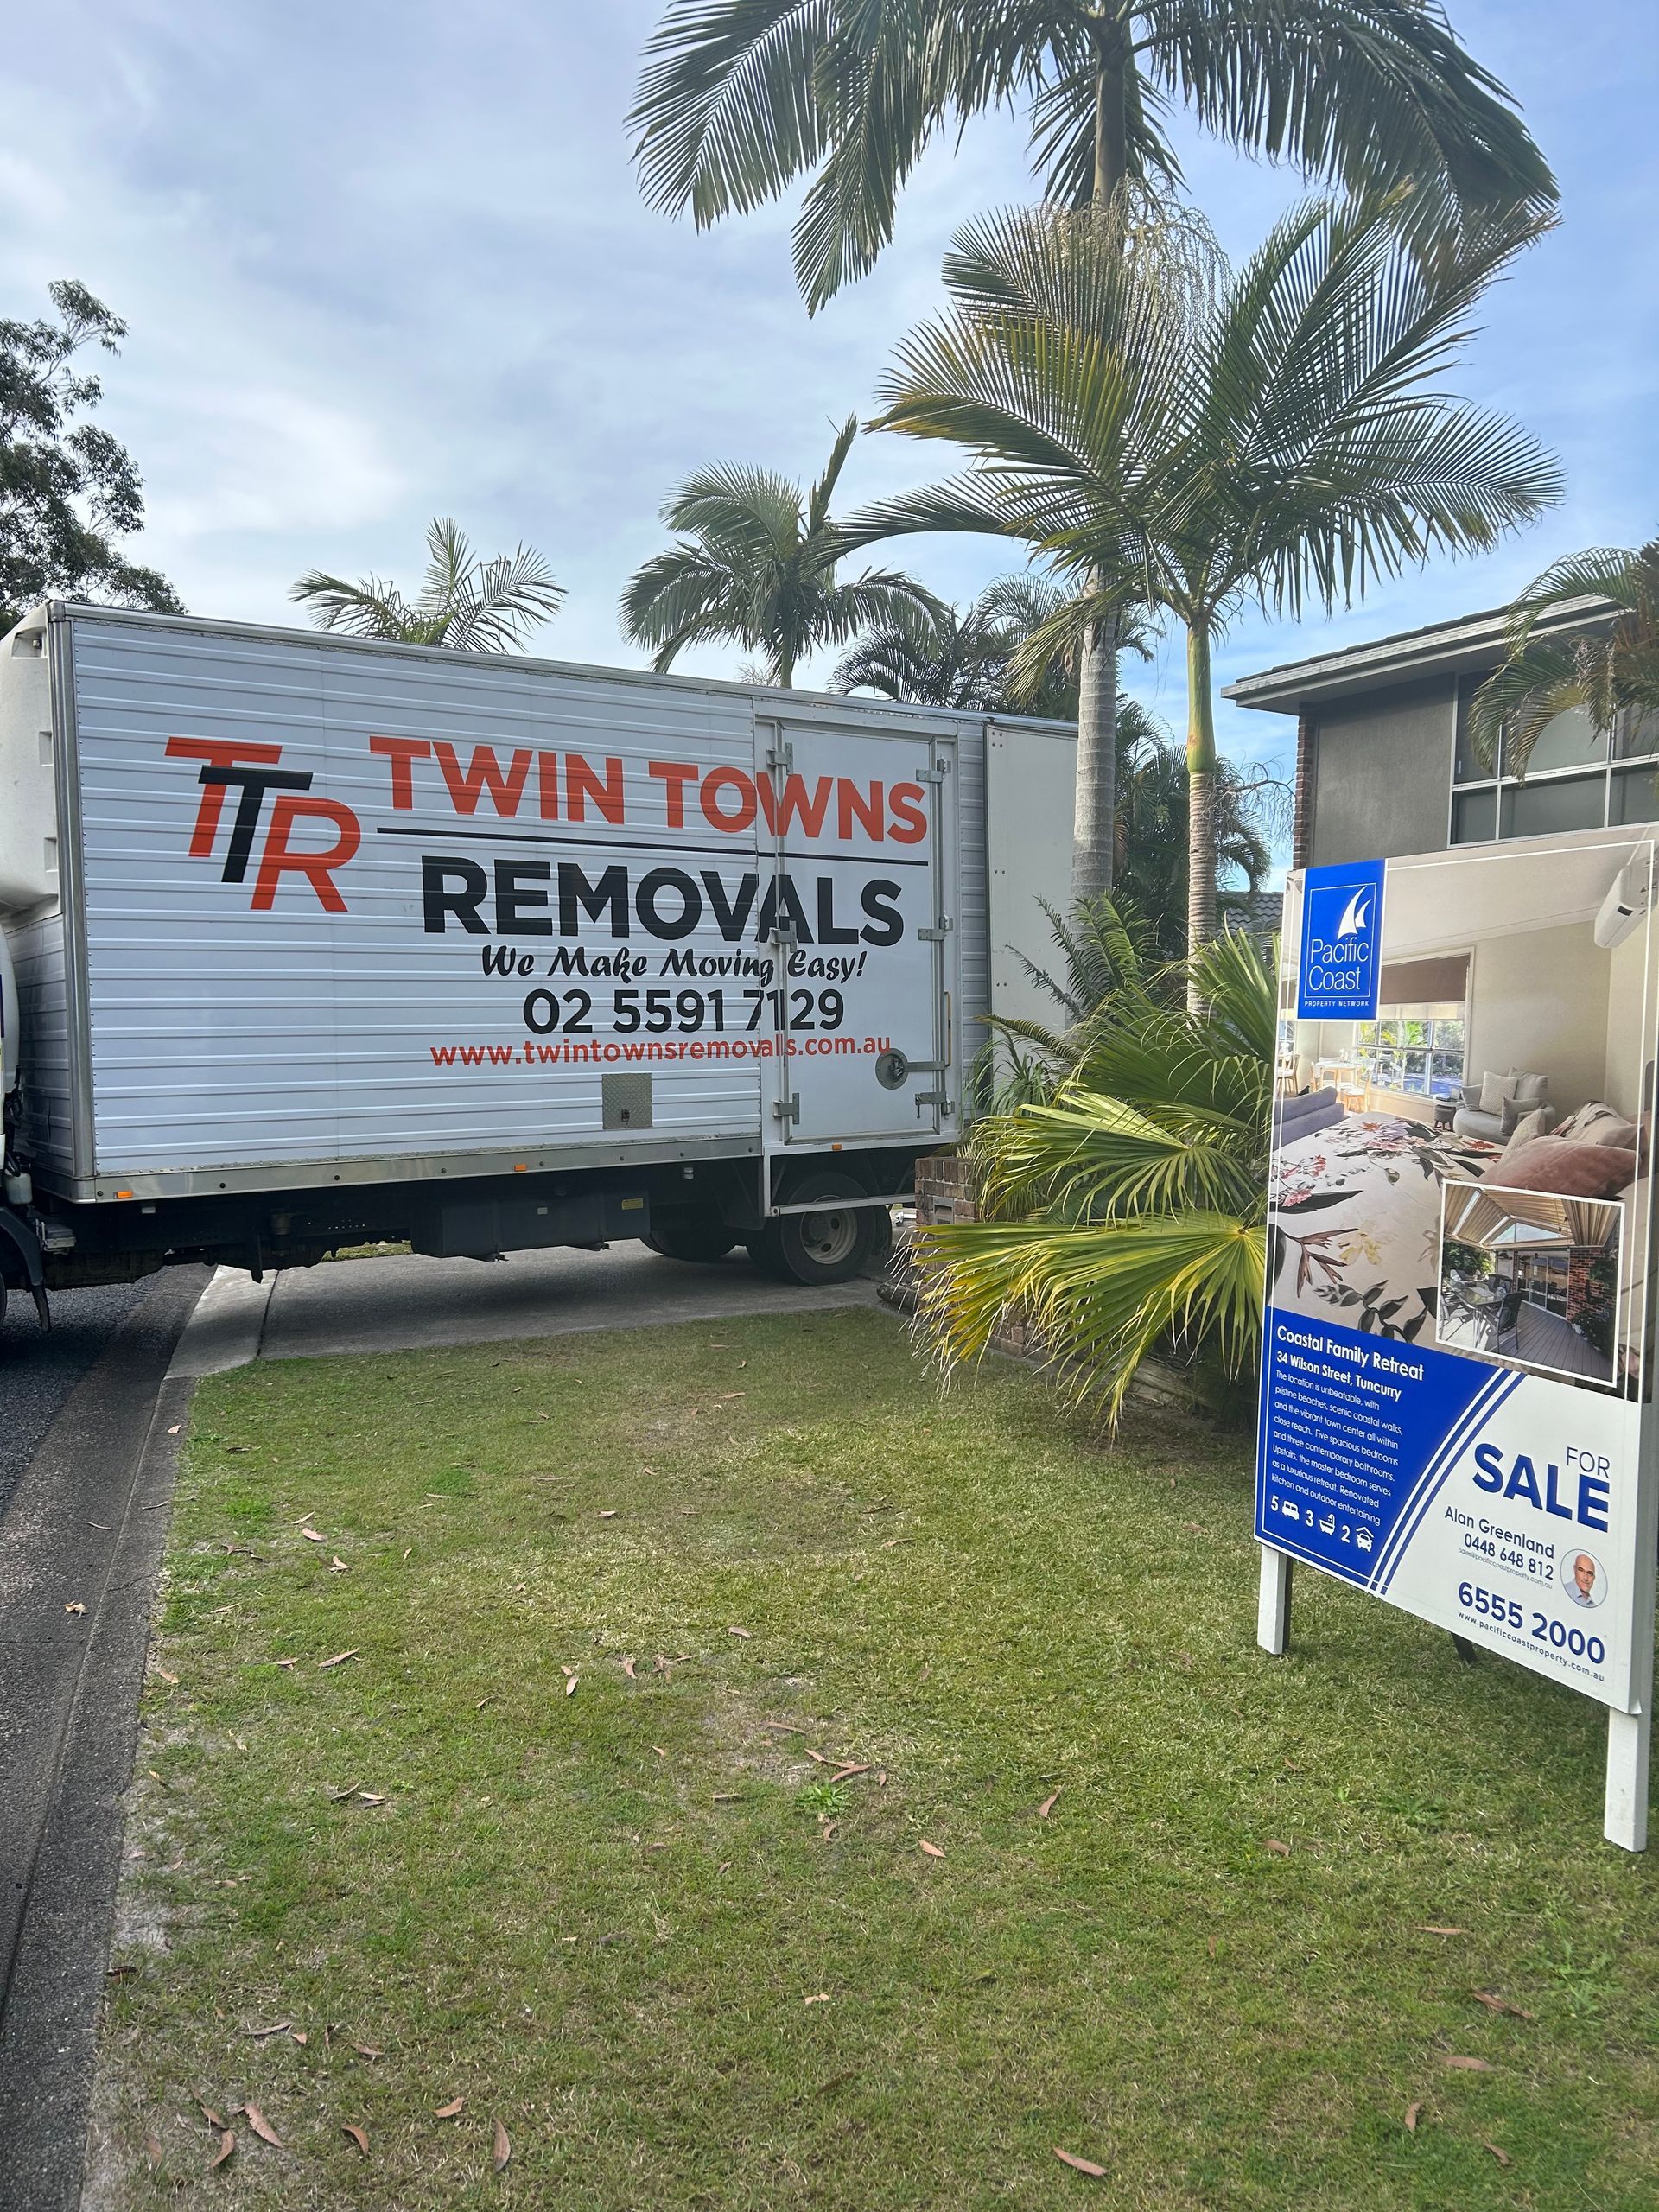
315 941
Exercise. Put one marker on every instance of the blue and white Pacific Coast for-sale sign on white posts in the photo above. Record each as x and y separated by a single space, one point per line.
1457 1404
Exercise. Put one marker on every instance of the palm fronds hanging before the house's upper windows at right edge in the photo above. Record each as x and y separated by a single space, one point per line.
1611 671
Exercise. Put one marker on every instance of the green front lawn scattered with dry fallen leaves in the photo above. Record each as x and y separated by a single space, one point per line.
603 1917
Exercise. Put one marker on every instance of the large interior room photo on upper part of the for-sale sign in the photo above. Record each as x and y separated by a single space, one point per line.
1470 1167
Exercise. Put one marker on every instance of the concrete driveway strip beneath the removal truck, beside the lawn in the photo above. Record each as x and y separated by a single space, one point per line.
408 1304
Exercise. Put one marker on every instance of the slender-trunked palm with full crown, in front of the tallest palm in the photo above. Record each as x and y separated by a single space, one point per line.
1277 444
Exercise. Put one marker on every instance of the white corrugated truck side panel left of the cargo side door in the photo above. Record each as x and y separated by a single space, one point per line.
225 1034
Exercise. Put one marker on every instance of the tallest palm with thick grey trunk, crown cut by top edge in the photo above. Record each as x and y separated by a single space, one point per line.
738 98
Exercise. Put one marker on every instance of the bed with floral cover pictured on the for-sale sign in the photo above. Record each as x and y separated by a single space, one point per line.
1355 1222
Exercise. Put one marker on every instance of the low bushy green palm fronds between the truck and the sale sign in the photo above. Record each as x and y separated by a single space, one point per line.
1127 1215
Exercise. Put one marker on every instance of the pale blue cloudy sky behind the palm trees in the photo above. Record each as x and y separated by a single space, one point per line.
388 260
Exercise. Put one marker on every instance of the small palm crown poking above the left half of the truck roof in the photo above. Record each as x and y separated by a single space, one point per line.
466 603
